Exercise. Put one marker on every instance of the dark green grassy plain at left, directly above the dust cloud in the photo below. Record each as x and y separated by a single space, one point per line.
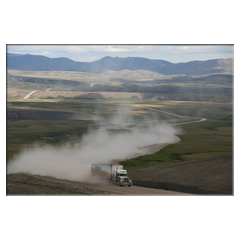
26 133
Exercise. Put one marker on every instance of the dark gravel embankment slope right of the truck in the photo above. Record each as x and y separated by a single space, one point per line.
213 176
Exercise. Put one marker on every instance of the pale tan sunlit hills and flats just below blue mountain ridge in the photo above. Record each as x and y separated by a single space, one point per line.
215 88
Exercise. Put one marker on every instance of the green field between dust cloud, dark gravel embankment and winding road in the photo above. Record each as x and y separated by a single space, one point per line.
212 138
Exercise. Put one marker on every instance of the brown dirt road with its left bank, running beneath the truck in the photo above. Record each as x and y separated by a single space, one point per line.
25 184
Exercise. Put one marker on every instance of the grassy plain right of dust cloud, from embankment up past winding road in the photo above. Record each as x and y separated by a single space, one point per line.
211 138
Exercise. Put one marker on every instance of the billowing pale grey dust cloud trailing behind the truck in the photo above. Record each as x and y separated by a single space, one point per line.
73 161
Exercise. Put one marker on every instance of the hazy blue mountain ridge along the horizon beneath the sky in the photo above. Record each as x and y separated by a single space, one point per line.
29 62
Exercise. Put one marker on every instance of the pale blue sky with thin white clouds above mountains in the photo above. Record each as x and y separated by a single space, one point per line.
88 53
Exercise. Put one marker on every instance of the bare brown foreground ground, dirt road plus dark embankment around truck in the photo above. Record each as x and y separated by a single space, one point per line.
202 177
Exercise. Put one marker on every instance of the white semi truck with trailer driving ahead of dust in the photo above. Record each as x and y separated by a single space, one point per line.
114 173
